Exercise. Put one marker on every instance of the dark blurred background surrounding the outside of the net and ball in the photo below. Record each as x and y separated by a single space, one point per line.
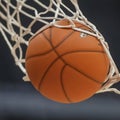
19 100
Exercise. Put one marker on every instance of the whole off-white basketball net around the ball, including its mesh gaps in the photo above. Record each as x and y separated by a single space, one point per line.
22 19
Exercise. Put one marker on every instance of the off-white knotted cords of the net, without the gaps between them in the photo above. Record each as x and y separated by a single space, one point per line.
18 39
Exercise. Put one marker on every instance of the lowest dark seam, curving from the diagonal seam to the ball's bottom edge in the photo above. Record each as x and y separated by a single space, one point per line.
62 85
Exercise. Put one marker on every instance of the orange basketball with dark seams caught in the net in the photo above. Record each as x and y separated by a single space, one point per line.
66 66
